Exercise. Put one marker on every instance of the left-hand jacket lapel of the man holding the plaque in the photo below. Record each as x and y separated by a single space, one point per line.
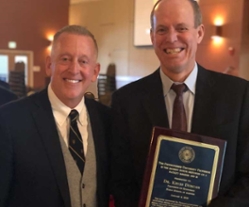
153 100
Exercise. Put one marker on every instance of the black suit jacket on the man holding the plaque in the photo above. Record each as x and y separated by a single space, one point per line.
221 110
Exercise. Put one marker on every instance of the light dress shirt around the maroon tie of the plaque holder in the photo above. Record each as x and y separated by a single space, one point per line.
188 96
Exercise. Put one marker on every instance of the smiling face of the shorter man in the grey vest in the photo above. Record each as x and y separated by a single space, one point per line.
72 67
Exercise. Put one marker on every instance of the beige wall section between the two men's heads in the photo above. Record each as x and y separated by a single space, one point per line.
111 21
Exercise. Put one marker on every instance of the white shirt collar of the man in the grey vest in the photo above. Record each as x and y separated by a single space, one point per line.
61 111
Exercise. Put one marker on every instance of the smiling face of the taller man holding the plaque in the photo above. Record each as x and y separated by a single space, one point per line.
175 38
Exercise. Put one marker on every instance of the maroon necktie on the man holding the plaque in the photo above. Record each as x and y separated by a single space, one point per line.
179 120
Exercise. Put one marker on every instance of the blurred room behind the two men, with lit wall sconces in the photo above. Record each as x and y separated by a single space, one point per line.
121 29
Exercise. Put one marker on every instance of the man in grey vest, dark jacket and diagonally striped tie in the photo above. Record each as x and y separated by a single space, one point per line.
37 152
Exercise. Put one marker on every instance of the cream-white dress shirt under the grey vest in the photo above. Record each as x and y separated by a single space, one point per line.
61 112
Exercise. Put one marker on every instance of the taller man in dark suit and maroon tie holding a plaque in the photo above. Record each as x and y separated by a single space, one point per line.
216 105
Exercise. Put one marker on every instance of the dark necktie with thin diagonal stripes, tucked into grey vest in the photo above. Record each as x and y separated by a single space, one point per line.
75 141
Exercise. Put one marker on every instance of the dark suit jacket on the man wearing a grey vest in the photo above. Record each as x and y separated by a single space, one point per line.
32 172
